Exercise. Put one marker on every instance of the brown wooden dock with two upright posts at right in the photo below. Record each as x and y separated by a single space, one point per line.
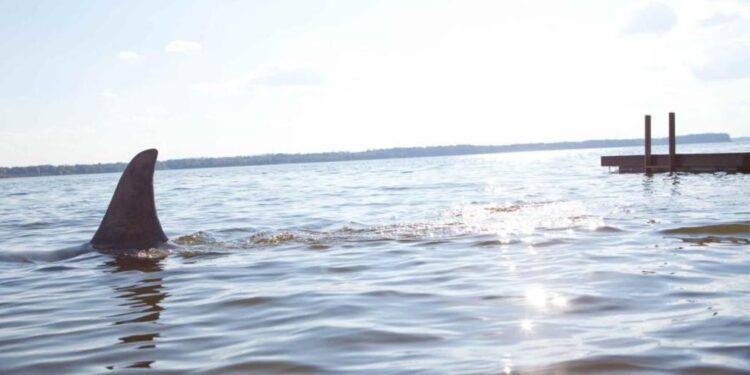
674 162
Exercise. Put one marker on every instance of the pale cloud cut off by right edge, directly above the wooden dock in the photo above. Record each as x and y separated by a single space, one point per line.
729 62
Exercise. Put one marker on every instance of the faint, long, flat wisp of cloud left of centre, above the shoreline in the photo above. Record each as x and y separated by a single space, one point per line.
274 78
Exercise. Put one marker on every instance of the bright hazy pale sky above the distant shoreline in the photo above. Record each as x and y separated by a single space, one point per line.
98 81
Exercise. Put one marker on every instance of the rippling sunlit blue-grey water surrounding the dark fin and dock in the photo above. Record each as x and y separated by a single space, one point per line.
489 264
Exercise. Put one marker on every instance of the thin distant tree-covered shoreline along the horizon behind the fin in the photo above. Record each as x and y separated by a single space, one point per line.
390 153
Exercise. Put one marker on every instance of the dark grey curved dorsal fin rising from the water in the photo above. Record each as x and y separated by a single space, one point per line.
131 221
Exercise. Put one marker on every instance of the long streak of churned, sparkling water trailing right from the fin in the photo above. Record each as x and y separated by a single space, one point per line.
502 224
